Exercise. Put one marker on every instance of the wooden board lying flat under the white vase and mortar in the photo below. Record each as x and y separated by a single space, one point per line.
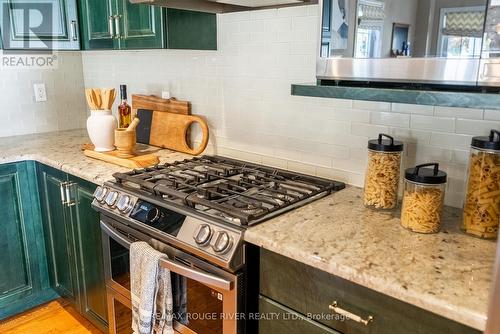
143 158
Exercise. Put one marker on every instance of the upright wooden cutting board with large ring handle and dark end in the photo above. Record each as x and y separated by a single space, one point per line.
171 131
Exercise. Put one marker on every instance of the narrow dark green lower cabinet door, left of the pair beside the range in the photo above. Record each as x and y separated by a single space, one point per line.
58 233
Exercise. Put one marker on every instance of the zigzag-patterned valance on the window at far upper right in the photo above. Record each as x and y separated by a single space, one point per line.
468 24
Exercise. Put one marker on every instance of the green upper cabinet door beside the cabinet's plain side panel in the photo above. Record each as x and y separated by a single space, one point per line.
141 26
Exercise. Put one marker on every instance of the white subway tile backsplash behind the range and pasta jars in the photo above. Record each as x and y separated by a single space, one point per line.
244 91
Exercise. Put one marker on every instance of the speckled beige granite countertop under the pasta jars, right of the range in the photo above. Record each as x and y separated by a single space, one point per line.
448 273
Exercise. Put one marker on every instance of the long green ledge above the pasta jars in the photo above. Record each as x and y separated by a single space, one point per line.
422 97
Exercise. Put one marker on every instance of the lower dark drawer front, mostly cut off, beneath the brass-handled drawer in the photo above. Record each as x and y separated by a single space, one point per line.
278 319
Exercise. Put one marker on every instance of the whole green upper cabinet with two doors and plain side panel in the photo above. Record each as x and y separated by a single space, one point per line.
121 25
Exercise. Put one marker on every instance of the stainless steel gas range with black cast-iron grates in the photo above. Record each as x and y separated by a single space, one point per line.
196 211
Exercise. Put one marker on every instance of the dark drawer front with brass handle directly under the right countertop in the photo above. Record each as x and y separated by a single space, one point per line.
310 291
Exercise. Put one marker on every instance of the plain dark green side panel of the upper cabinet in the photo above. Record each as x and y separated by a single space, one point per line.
191 30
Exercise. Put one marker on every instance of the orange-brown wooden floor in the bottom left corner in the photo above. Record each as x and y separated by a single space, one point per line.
55 317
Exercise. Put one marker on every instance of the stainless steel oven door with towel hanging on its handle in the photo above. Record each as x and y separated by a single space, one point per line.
207 299
